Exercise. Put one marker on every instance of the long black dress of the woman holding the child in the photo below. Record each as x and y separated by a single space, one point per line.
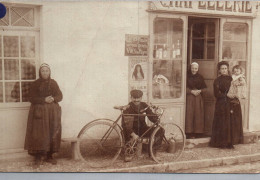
227 127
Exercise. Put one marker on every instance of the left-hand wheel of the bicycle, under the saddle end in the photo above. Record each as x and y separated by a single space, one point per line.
100 143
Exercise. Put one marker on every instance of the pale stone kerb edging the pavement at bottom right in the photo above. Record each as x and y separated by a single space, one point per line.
184 165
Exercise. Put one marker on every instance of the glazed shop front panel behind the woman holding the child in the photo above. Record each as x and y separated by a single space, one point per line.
234 49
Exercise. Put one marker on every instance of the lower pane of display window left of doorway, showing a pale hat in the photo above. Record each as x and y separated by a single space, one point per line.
167 77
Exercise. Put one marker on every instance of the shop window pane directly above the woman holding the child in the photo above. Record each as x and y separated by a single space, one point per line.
234 50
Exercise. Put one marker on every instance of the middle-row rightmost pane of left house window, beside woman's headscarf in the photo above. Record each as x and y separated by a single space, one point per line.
28 69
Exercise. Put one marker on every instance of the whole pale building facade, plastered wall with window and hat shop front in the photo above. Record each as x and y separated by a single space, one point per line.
143 45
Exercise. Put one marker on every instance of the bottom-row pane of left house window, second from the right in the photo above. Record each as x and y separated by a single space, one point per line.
12 92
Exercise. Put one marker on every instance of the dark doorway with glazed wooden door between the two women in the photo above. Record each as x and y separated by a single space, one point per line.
203 43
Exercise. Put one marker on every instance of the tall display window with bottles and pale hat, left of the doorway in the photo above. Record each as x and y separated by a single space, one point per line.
167 58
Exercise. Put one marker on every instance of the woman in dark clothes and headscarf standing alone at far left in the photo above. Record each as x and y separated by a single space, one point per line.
43 135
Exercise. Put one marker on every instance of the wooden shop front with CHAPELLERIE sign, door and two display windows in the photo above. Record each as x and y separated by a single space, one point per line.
202 32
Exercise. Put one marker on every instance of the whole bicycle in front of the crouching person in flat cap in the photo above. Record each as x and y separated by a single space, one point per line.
113 132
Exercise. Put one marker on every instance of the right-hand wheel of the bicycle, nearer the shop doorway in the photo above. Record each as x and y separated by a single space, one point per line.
171 146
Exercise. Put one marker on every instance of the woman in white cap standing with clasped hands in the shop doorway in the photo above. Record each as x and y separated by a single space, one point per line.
194 125
